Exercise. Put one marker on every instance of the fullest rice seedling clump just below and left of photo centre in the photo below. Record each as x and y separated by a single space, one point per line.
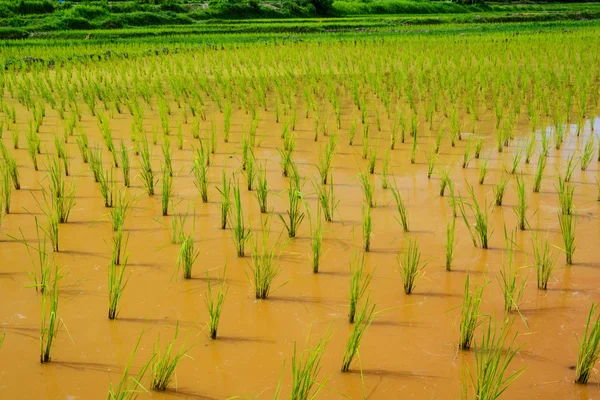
264 267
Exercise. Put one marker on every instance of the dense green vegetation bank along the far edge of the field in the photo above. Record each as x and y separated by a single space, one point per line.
24 18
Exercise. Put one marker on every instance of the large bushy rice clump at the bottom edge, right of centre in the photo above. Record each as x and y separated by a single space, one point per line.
492 361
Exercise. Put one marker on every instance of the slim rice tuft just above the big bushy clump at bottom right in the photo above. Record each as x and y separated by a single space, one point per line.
512 288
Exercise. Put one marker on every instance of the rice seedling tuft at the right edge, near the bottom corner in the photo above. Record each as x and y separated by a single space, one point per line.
589 347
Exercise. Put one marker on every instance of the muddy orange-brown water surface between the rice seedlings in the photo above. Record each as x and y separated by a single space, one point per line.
410 350
